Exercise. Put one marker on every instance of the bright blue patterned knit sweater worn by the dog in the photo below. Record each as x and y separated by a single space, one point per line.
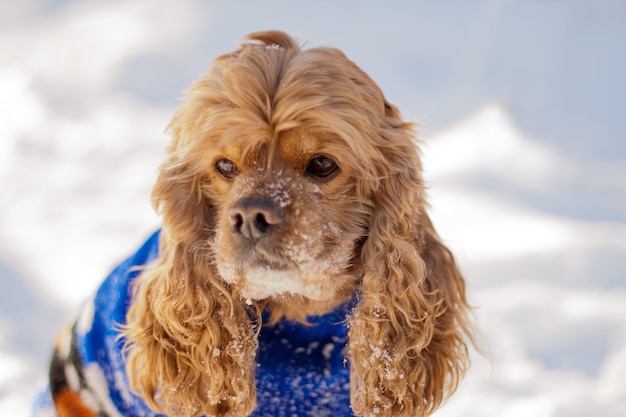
302 369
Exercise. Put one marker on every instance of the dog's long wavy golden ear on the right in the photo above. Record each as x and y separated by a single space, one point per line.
407 334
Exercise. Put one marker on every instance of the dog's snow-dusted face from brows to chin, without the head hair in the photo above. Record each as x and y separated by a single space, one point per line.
285 220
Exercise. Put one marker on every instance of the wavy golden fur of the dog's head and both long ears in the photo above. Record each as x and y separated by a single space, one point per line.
251 128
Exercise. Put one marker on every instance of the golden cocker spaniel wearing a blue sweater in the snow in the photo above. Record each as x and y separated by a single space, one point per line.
296 271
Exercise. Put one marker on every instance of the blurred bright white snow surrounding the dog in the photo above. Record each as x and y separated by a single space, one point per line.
522 106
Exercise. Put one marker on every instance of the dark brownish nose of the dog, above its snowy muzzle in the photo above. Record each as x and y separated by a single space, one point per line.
254 217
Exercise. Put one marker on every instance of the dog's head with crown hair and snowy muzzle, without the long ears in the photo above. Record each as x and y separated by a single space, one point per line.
287 158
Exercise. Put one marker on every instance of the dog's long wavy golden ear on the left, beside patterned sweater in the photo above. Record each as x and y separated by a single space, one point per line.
191 345
